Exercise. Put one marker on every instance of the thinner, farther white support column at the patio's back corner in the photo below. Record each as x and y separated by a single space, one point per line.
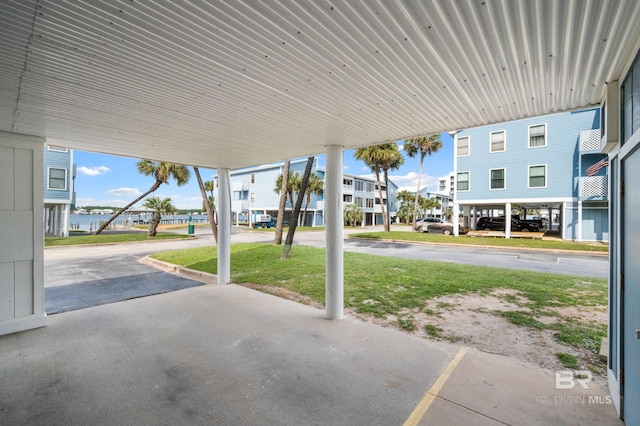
224 227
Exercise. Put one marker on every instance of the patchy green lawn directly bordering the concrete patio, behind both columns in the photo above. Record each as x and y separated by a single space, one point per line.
383 286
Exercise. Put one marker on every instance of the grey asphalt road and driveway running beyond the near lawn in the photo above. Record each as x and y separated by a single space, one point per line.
83 276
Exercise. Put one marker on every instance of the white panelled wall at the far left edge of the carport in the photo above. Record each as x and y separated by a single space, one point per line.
21 254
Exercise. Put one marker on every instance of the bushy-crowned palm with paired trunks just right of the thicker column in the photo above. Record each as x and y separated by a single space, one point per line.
381 158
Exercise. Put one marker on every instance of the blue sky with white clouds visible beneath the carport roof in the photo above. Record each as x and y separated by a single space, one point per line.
107 180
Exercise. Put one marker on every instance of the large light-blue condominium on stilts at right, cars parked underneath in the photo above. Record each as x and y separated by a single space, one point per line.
548 168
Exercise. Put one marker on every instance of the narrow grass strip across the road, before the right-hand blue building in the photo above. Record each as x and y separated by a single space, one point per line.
550 244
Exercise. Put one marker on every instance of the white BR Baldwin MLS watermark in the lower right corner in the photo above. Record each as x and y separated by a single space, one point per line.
573 380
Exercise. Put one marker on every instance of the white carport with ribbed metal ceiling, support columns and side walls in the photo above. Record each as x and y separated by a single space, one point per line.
235 84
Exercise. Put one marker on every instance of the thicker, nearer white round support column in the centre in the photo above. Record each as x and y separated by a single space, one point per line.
334 287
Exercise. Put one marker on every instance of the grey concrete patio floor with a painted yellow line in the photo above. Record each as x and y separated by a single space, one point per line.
233 356
